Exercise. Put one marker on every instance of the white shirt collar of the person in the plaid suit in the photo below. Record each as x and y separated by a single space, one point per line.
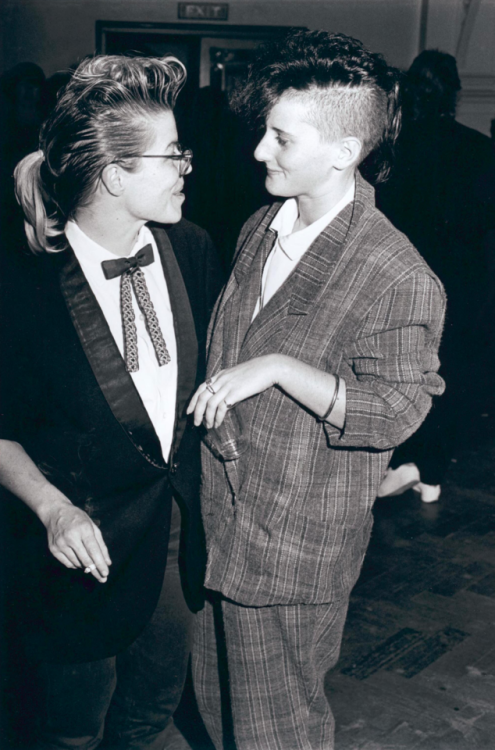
295 244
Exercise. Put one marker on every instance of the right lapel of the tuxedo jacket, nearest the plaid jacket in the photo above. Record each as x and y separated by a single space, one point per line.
185 330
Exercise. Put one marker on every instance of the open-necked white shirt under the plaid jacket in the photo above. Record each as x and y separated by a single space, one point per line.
290 246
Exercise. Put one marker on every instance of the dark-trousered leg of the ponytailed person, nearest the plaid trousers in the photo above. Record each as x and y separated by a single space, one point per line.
152 671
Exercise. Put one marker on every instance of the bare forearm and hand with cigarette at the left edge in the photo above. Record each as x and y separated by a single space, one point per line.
73 538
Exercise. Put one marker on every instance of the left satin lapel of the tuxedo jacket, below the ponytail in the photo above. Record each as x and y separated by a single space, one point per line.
106 361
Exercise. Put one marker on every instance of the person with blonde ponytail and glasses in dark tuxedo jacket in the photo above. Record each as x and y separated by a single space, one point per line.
103 354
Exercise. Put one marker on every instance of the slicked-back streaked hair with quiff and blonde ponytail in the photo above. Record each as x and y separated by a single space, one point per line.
101 116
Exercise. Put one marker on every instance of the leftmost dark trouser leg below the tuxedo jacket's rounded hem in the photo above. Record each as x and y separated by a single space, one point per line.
76 698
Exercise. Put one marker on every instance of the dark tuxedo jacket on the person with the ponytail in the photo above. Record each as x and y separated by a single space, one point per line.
70 403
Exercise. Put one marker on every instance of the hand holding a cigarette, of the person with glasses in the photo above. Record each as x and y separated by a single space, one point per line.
75 540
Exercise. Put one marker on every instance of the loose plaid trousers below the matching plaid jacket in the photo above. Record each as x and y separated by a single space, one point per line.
259 673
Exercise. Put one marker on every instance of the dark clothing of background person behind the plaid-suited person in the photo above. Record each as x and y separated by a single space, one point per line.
441 194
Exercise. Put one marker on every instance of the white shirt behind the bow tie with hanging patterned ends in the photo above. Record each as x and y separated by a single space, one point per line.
157 386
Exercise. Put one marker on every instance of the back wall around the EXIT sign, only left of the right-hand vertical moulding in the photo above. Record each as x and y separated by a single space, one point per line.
55 33
